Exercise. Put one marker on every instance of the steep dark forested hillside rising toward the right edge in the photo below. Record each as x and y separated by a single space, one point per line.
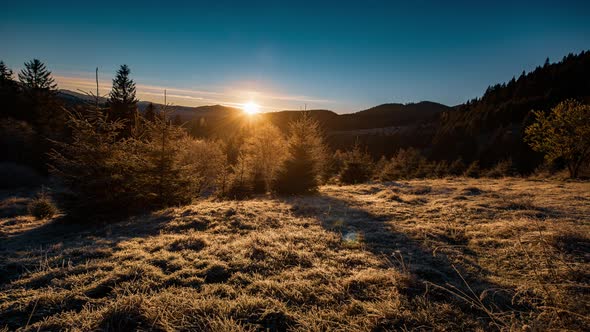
491 128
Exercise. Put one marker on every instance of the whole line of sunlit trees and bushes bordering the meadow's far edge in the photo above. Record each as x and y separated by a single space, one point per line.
111 158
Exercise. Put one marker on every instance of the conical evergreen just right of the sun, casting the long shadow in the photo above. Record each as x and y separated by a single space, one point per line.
304 166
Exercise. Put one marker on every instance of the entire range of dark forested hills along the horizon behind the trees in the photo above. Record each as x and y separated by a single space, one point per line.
486 129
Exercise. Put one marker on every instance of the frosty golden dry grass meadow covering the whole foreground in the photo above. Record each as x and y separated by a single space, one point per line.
453 254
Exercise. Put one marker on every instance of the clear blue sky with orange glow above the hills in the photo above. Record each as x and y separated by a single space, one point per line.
336 55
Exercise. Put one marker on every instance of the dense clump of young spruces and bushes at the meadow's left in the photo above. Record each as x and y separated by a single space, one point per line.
105 173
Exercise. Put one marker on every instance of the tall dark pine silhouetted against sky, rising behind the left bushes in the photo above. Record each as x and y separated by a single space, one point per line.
122 100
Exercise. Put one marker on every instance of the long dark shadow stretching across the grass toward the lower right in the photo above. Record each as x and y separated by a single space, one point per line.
381 238
